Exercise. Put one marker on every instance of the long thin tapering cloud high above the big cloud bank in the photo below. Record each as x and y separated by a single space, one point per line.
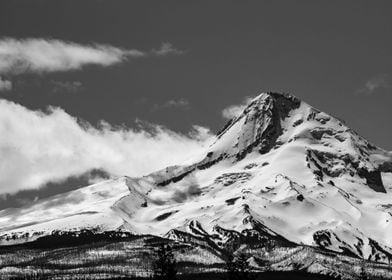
42 55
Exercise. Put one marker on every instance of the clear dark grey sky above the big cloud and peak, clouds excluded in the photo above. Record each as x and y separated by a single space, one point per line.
203 56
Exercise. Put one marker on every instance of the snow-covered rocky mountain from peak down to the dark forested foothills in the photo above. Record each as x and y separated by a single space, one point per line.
281 170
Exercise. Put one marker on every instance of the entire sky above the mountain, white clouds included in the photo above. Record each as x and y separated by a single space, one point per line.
89 87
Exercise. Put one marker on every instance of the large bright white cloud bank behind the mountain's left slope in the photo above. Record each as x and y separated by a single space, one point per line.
52 146
